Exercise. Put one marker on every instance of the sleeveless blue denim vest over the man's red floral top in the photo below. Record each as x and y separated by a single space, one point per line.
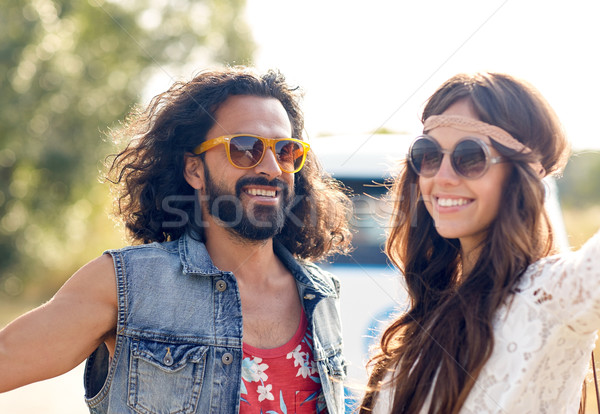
179 333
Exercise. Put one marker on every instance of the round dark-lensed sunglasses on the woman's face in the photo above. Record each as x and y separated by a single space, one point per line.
470 157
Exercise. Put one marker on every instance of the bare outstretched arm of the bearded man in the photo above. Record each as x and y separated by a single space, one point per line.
59 335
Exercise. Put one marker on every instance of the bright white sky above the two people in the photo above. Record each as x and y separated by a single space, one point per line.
370 64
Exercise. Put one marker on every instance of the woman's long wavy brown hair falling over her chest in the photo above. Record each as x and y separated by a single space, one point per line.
439 346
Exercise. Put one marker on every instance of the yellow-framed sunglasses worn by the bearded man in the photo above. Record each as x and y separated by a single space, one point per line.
247 151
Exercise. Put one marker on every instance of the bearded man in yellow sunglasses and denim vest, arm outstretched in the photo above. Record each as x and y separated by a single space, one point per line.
218 310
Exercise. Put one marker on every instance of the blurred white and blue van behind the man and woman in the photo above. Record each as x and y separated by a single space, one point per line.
372 292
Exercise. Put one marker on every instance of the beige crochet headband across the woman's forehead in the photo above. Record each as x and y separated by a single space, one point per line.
473 125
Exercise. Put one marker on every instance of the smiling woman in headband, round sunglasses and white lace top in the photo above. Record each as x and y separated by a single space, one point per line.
498 323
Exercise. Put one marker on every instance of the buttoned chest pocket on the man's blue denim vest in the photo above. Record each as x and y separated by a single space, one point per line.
165 378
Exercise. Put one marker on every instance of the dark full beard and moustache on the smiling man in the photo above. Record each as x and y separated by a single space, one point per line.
254 221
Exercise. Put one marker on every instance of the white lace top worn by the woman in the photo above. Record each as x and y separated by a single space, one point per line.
543 340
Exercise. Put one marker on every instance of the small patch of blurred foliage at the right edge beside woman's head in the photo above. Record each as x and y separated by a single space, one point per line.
580 185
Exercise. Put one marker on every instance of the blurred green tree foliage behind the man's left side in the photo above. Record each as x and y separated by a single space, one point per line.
69 70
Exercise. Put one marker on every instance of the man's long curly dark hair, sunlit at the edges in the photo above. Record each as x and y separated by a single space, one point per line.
150 169
